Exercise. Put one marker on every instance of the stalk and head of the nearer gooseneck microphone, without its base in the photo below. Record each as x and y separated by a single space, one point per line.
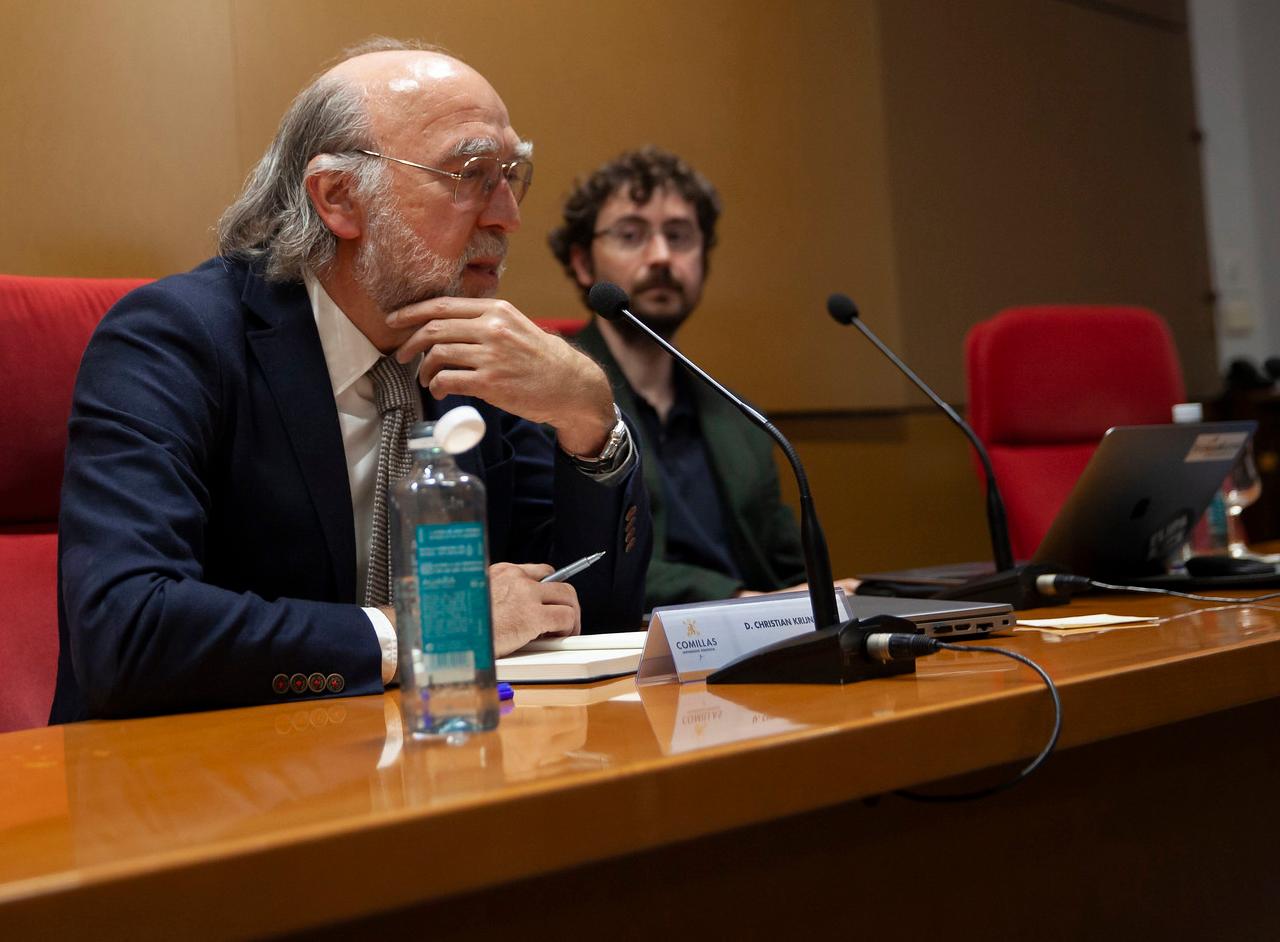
611 303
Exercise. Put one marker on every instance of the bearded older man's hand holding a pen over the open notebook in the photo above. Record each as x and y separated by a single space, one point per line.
525 609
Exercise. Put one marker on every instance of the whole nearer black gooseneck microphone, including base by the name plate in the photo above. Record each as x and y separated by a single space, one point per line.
834 653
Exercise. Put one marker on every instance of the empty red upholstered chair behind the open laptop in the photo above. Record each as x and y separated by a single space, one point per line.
1046 383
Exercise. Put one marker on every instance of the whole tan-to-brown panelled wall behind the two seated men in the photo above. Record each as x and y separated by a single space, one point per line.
936 161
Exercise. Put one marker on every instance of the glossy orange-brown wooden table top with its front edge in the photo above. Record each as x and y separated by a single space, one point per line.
328 808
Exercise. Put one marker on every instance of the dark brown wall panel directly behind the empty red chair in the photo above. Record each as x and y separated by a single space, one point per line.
1041 153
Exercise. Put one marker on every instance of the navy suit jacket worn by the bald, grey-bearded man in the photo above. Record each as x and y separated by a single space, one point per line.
207 541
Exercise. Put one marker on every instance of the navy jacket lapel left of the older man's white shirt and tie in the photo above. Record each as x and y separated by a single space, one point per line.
289 350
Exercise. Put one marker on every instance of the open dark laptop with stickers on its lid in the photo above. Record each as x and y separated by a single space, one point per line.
1131 511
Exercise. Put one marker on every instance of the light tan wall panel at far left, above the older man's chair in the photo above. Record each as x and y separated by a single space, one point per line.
120 145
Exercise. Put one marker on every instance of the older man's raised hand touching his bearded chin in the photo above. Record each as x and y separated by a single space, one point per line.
487 349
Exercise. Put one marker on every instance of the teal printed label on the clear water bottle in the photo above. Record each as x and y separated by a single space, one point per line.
454 601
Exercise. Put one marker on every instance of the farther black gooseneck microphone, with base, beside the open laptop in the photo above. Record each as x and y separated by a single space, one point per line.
1013 584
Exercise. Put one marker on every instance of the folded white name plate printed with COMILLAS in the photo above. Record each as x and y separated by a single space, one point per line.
687 643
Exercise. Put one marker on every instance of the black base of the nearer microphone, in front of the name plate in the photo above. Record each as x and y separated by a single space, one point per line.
825 656
